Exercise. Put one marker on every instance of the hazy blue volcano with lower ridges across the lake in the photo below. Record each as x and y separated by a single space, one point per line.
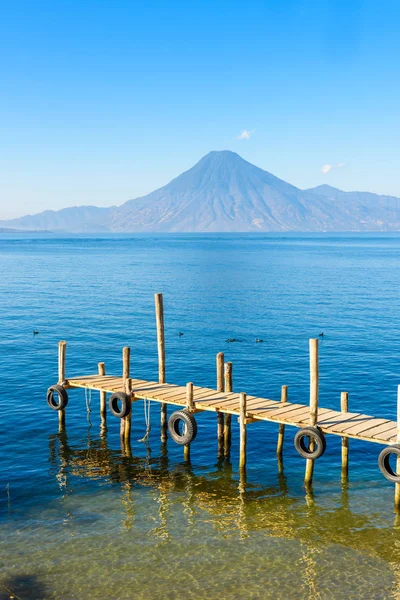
225 193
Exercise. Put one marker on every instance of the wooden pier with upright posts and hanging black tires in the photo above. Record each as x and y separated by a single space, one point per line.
312 421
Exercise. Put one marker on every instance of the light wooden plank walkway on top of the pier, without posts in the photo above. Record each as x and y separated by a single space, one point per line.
352 425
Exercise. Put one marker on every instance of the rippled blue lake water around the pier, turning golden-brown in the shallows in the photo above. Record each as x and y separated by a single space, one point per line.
81 519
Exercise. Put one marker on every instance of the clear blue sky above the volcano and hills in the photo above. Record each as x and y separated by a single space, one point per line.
105 100
